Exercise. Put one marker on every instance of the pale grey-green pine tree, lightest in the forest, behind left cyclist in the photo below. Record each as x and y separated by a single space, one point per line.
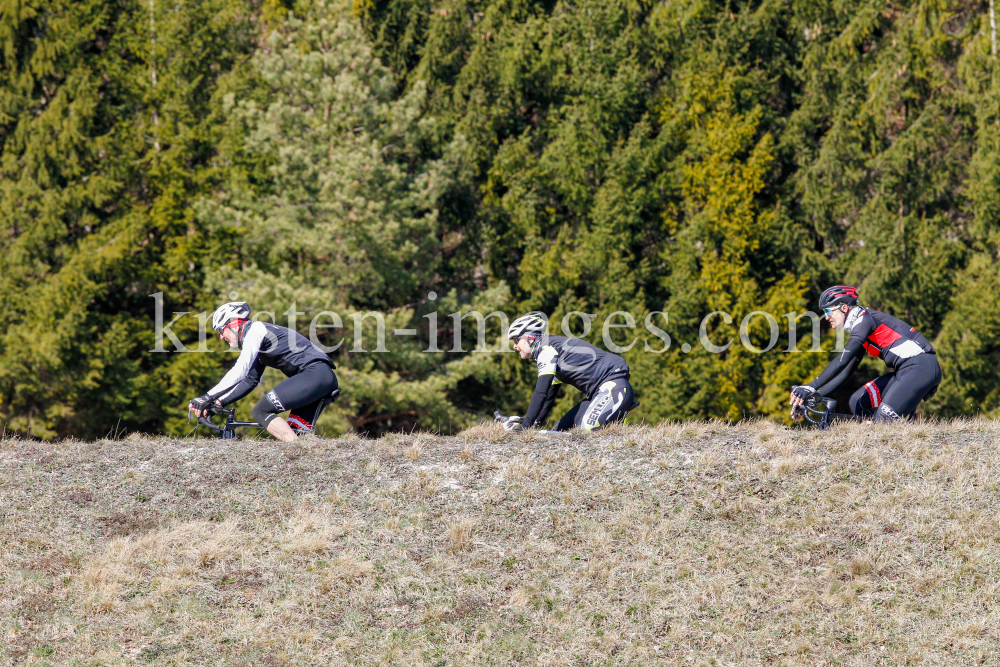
335 206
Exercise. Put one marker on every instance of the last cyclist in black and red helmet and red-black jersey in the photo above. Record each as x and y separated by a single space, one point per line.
895 395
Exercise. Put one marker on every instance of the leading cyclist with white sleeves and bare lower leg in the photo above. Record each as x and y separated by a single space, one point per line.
309 370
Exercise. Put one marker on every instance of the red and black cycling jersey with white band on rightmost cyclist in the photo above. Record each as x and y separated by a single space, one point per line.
880 335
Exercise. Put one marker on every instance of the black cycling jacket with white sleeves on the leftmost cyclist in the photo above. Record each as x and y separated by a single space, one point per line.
264 344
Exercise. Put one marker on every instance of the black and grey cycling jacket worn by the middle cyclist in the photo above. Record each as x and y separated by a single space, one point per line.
573 361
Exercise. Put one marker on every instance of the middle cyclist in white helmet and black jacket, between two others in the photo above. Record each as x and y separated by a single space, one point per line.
602 376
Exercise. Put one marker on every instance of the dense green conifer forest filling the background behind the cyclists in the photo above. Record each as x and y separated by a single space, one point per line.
659 160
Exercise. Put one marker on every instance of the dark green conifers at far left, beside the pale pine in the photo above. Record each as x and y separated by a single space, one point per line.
103 112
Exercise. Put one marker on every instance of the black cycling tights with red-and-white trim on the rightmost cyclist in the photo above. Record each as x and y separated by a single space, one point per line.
897 395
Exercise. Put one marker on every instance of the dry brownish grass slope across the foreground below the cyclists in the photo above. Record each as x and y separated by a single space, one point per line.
695 544
